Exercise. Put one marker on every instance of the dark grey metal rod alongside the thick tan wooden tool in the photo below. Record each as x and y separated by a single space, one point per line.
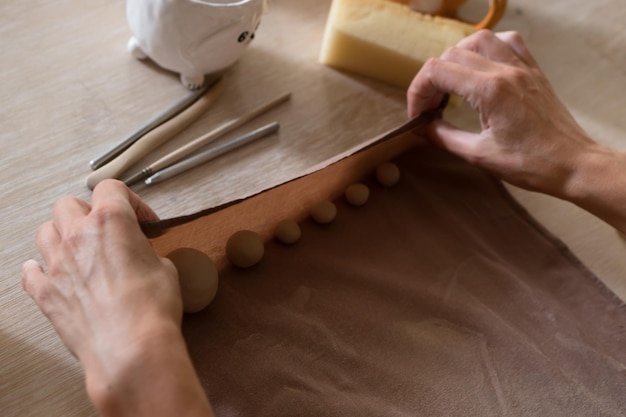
152 124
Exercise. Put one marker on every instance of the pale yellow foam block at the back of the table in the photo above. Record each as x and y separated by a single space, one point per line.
385 40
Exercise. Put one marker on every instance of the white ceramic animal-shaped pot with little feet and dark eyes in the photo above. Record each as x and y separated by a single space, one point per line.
192 37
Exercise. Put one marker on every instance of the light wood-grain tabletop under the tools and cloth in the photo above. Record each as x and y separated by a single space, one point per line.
69 90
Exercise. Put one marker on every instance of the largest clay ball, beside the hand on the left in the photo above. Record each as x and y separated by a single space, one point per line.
197 276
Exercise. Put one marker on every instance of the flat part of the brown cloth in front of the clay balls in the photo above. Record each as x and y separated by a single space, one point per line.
440 297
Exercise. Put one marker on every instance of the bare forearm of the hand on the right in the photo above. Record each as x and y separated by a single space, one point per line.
598 185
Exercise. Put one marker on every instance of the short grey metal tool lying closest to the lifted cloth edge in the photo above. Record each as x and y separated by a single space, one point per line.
212 153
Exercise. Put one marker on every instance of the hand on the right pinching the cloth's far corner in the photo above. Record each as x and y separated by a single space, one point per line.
528 137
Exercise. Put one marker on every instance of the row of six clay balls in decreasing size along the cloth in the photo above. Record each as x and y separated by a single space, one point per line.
198 275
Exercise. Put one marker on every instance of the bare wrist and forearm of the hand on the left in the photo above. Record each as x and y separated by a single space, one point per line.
155 379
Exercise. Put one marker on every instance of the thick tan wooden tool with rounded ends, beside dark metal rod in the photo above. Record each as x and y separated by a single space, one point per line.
157 136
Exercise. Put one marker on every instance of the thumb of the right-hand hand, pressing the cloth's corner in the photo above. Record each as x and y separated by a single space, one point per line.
452 139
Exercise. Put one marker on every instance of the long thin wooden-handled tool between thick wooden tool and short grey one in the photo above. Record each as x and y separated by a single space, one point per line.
205 139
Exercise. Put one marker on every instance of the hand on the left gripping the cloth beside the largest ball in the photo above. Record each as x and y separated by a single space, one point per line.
106 292
